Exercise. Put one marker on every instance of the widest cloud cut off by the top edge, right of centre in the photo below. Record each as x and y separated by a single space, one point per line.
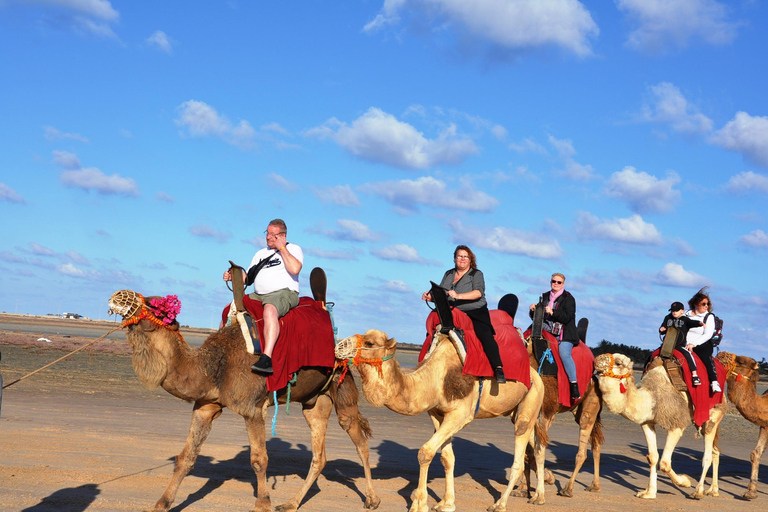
502 24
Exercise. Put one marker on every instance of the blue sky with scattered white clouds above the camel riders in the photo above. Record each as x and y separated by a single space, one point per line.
623 143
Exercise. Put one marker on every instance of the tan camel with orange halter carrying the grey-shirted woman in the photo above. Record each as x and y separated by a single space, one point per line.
452 400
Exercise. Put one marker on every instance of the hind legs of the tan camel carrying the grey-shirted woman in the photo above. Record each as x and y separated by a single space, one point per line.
524 435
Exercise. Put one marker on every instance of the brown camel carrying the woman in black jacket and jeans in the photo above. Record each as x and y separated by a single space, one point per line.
586 412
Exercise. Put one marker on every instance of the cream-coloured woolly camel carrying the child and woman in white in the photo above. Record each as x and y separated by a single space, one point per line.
654 402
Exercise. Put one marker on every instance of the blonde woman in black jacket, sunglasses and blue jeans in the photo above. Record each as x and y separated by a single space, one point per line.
560 320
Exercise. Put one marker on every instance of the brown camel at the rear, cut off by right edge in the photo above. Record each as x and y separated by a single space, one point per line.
742 391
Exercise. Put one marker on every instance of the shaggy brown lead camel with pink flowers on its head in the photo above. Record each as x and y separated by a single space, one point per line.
218 375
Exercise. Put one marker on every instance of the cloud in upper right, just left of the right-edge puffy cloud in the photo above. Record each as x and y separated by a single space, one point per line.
669 106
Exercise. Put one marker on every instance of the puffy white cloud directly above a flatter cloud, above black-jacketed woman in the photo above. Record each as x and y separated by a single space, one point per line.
642 192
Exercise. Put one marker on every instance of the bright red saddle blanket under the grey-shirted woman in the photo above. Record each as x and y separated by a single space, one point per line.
514 354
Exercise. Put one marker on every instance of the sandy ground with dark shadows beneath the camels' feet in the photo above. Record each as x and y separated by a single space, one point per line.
86 435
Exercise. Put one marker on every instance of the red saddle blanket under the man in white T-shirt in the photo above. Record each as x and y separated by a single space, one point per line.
306 339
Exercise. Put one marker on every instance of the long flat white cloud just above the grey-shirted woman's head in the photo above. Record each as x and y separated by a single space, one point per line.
507 240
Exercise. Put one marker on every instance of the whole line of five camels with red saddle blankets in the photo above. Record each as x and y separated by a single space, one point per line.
455 383
